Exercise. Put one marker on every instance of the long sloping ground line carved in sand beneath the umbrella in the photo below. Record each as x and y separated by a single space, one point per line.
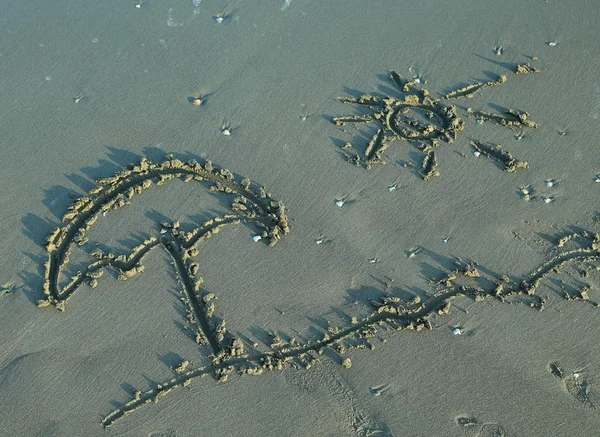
388 313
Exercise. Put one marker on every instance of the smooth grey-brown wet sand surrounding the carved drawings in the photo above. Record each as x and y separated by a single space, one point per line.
271 72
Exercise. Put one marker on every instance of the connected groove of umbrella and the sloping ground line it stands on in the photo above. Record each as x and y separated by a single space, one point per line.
254 205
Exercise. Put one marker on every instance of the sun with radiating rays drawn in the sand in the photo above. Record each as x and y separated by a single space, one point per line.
420 119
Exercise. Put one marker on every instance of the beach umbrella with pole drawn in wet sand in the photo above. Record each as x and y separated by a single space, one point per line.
250 204
